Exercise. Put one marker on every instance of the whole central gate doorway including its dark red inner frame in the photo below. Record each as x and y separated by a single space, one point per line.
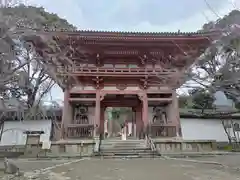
121 116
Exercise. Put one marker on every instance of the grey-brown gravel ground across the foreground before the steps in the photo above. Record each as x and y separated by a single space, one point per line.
130 169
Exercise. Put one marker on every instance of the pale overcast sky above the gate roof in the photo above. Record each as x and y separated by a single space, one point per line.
137 15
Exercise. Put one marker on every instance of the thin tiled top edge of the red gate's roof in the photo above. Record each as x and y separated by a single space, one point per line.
121 35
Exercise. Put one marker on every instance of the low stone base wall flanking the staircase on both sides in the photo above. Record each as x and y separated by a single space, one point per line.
78 148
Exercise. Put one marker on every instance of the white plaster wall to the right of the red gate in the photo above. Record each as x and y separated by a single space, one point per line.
204 129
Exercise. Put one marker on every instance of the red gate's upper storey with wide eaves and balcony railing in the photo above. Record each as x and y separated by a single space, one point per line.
160 57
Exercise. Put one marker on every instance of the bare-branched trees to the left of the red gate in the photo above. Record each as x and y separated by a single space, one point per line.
24 76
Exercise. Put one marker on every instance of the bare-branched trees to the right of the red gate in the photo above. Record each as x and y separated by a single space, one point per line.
218 69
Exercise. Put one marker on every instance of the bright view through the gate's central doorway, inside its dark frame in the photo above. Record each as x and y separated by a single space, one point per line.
119 123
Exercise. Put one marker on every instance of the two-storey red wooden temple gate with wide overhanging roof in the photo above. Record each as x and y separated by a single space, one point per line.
119 69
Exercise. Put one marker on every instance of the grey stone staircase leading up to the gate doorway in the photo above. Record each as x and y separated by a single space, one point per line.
131 148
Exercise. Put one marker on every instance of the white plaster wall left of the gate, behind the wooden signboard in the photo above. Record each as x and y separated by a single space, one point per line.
13 131
